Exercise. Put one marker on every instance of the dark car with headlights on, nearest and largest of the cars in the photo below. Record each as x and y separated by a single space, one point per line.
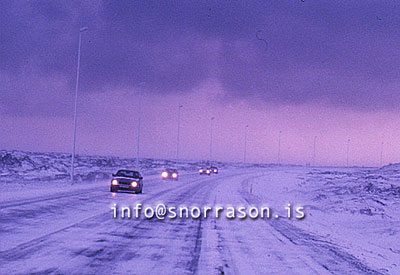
127 180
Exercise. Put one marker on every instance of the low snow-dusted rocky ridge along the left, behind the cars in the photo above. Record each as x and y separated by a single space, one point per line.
18 166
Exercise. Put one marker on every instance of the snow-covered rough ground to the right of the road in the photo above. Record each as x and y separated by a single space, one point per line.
352 213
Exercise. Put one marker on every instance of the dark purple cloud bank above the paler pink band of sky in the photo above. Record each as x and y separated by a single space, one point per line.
340 53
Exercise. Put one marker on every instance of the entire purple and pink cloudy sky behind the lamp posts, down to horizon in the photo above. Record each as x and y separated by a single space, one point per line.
329 69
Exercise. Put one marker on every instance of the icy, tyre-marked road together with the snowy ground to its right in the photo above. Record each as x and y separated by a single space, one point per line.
351 226
